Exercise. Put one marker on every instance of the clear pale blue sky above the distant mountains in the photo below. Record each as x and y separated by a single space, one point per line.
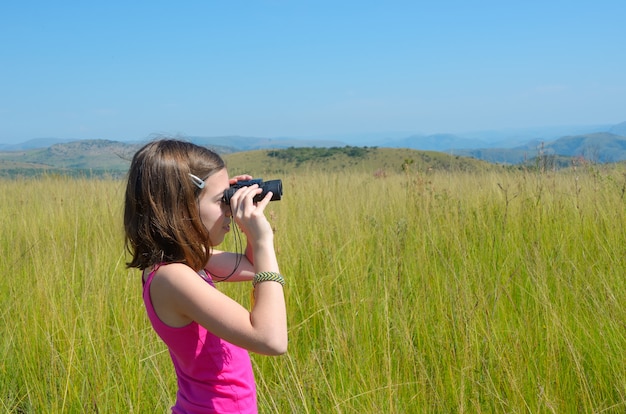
124 70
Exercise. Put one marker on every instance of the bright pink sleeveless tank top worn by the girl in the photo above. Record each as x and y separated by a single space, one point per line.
214 376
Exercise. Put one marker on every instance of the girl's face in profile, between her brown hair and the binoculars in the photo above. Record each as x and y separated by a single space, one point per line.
215 214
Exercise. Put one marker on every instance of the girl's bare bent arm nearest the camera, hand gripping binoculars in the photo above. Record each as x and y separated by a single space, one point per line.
180 296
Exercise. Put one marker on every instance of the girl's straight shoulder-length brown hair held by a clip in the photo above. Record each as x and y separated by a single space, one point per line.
161 217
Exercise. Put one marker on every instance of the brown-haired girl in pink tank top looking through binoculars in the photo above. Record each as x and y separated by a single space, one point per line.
174 216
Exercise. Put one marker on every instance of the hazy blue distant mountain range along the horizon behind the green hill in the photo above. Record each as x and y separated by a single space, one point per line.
599 143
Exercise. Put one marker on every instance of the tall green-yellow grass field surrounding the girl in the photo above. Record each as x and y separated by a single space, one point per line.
407 293
